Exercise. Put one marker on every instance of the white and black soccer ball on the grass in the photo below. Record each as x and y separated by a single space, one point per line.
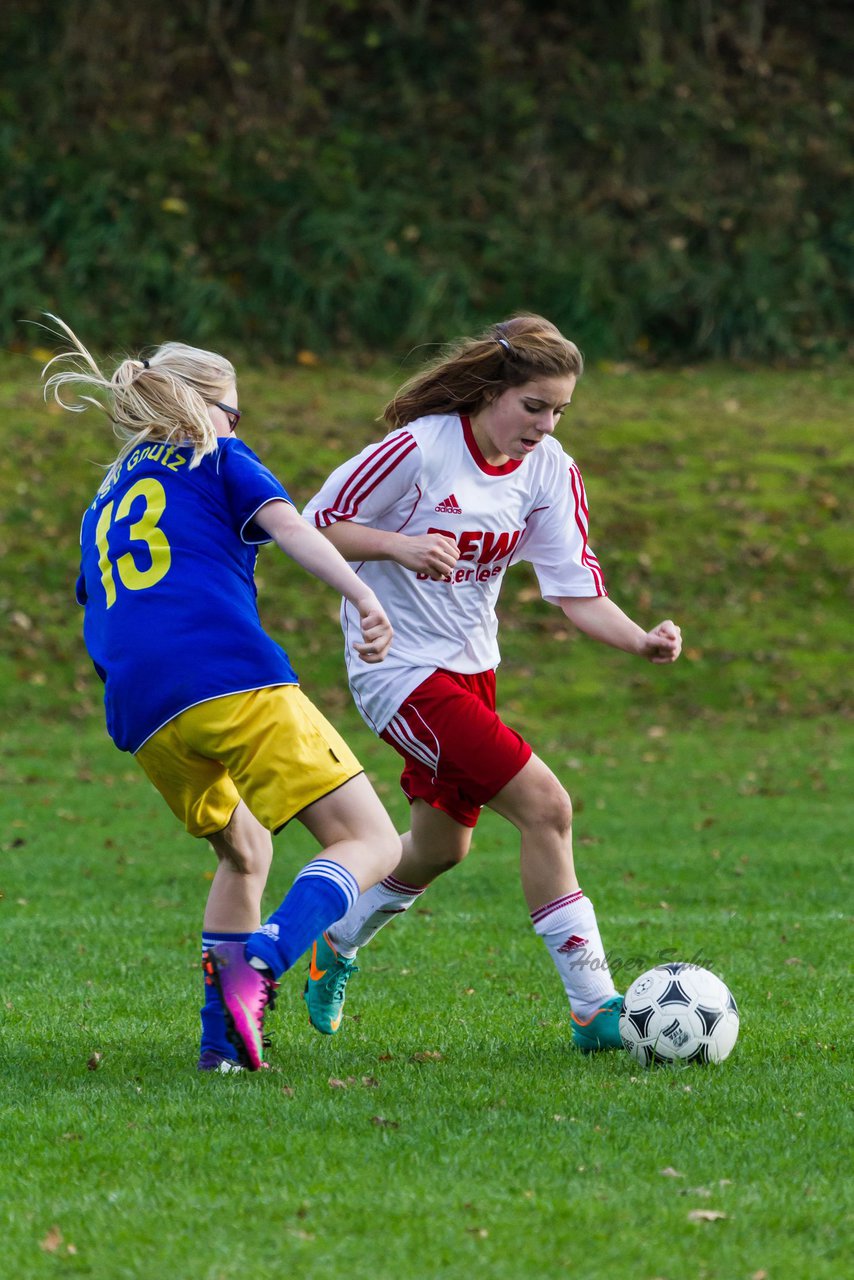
679 1013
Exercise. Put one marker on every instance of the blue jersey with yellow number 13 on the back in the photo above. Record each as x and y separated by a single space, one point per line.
168 582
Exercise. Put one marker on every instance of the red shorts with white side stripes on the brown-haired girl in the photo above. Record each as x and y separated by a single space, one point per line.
459 752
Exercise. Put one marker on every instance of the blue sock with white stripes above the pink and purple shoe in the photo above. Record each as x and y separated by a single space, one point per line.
322 894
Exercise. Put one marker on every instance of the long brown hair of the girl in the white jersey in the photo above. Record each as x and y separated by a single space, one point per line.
476 371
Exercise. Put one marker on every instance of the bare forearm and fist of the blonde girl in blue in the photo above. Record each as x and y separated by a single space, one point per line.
304 545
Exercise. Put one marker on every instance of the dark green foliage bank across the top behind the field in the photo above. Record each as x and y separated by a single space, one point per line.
657 176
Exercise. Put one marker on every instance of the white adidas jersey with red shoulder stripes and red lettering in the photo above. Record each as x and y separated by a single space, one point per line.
431 477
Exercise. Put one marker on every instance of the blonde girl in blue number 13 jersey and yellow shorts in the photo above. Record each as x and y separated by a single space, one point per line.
195 689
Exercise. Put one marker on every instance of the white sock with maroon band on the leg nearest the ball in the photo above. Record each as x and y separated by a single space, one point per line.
569 929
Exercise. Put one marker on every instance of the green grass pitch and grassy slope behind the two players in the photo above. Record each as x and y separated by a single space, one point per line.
450 1131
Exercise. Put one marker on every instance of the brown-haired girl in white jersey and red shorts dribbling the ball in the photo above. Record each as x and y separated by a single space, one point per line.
469 481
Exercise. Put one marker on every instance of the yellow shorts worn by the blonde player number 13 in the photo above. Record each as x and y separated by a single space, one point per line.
271 748
